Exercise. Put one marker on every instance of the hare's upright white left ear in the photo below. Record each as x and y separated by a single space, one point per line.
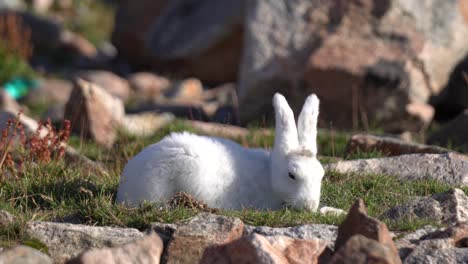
285 127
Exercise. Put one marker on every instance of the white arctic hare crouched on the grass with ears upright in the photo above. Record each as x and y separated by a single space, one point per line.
226 175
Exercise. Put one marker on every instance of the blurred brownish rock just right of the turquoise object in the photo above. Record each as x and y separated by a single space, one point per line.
50 91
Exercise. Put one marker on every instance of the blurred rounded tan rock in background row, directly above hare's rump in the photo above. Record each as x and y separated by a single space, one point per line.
148 86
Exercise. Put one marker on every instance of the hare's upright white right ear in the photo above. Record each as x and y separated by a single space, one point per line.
307 124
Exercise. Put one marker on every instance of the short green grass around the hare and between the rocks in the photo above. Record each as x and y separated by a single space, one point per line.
53 191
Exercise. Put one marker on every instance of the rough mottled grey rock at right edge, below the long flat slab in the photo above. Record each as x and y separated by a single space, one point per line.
450 208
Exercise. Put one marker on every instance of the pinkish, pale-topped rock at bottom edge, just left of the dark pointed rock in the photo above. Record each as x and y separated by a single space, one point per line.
258 249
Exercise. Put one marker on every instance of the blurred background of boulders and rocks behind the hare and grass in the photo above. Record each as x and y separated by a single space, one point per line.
393 66
